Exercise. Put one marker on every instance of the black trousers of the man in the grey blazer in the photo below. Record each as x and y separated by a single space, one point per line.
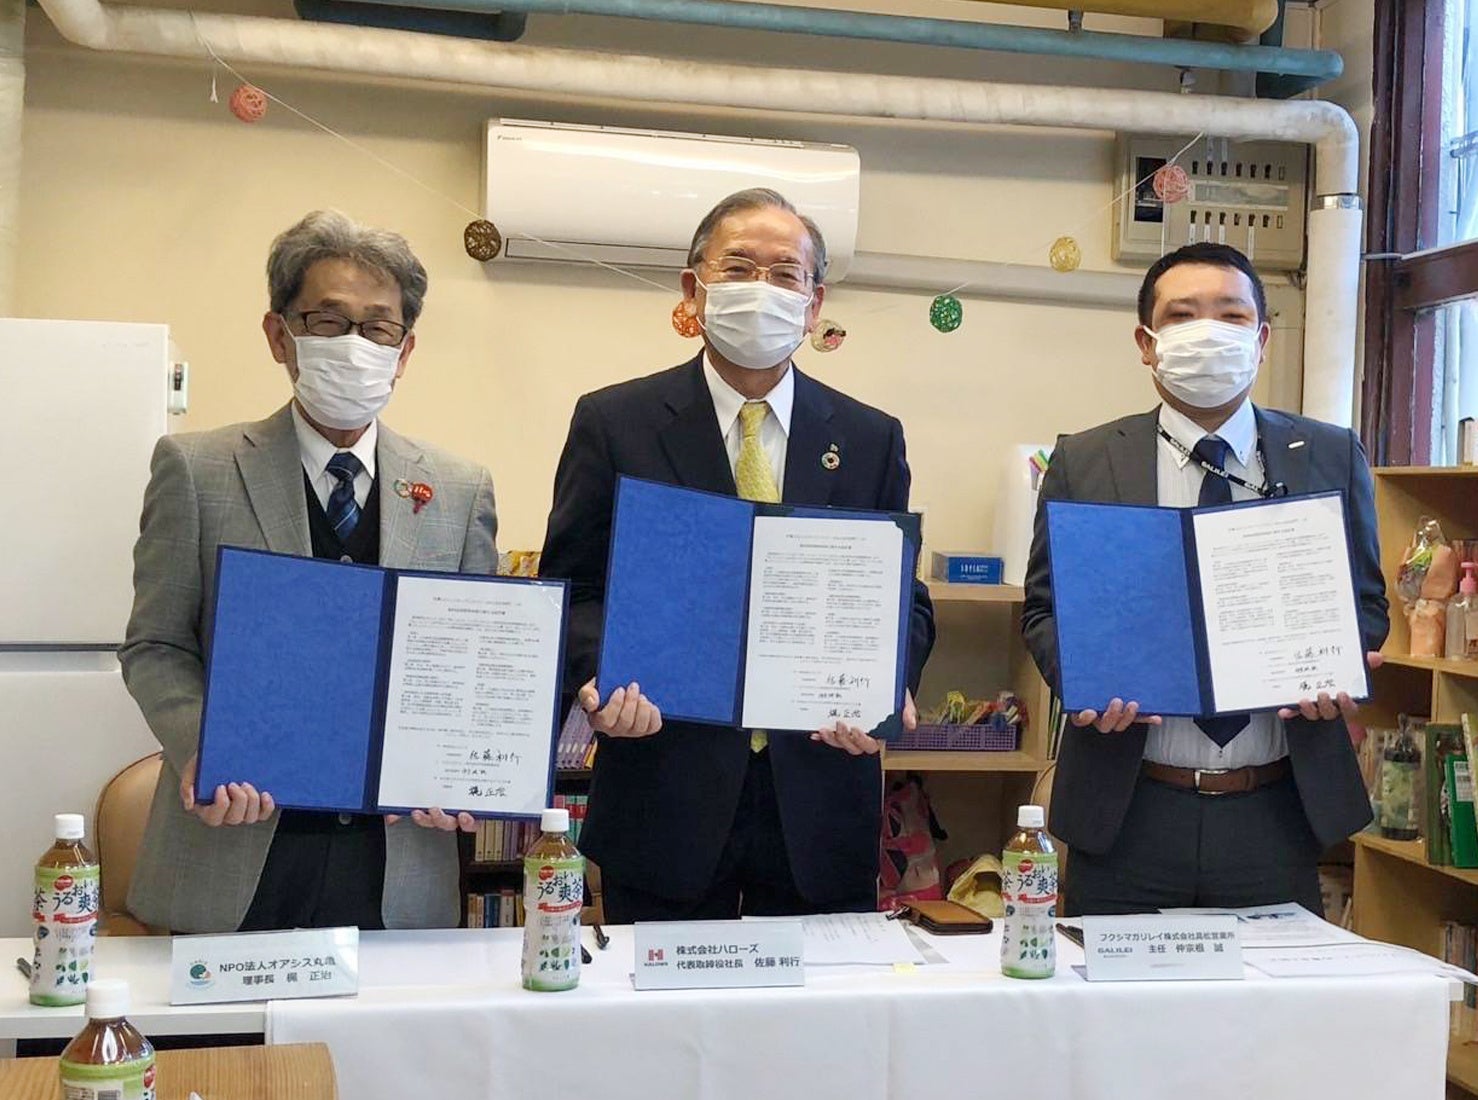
321 873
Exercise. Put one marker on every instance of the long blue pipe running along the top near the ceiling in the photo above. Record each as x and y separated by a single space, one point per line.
1306 69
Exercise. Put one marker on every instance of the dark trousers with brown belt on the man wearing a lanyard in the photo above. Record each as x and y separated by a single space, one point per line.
1185 849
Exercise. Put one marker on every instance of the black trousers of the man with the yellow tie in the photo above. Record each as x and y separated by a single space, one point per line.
753 877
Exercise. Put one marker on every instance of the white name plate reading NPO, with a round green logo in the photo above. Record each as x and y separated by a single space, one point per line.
265 966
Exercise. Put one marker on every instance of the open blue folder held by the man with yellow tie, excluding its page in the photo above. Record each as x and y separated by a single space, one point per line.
678 598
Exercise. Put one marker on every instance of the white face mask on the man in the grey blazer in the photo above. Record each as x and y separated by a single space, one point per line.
344 381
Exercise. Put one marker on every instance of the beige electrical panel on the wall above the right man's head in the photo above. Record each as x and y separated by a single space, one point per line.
1253 196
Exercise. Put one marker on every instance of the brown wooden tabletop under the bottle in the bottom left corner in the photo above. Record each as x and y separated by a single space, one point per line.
289 1073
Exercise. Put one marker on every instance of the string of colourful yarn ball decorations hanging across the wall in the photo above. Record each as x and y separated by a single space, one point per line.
484 242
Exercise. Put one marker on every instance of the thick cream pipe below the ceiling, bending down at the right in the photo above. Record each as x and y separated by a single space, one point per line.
1329 367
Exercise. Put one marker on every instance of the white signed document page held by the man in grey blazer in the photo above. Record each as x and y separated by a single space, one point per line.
471 703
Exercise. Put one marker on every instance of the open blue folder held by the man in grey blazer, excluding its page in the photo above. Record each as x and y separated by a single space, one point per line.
298 675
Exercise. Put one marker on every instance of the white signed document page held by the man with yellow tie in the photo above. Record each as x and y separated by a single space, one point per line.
824 623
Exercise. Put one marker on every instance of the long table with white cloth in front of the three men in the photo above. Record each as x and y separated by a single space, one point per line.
443 1015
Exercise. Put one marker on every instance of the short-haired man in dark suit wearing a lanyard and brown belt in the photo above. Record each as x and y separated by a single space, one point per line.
1216 811
